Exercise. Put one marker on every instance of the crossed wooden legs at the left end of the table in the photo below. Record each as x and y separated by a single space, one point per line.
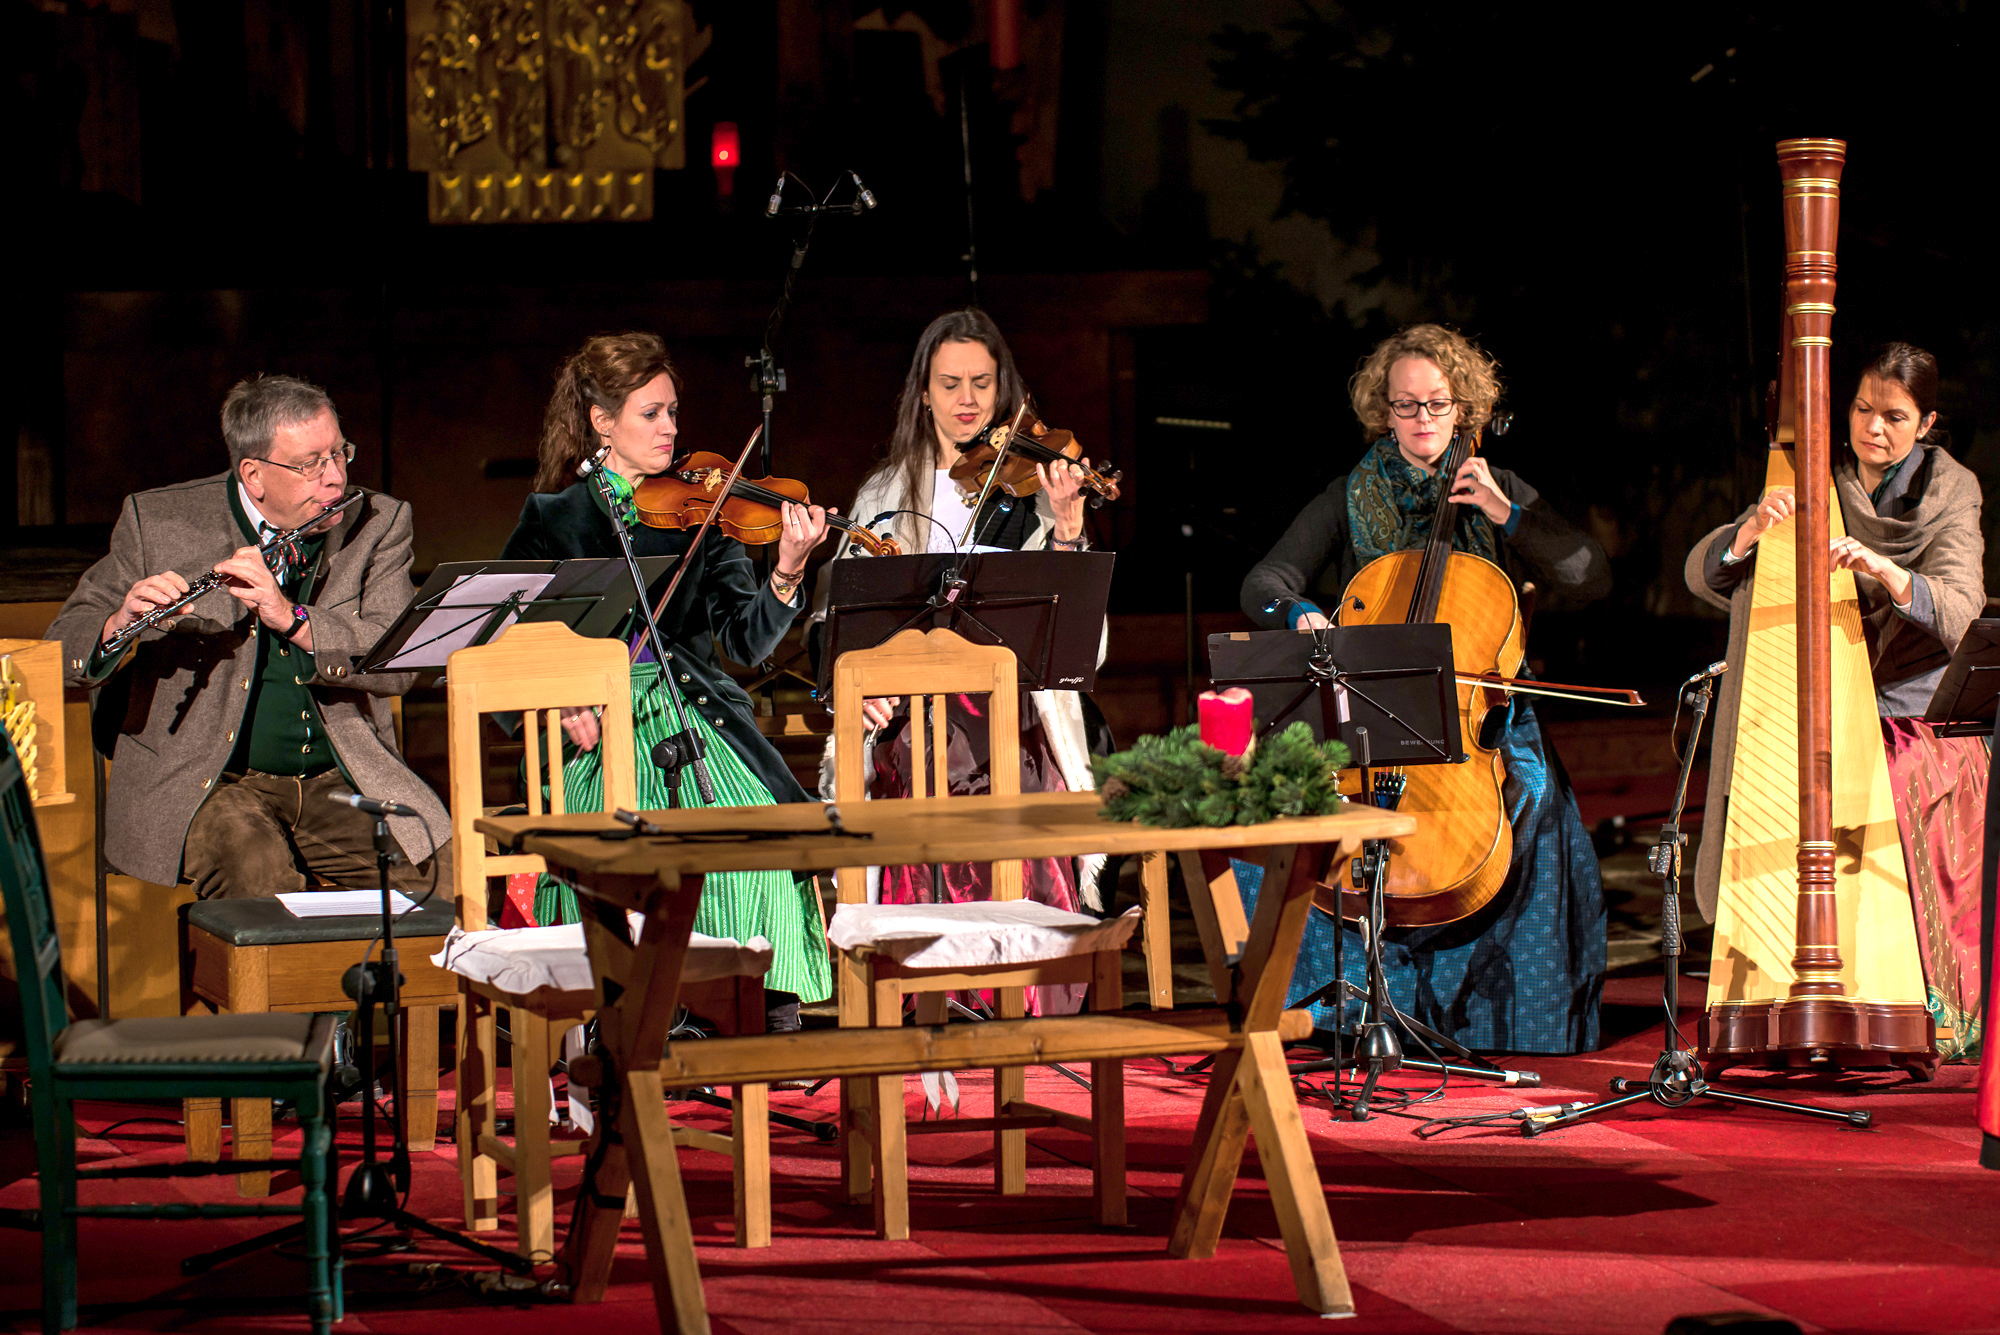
633 1018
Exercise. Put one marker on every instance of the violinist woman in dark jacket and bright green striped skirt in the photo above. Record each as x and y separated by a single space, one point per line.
619 395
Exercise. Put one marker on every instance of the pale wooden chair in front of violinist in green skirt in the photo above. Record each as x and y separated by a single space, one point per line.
539 670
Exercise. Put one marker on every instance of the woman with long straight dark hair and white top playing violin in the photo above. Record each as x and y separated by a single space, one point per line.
961 383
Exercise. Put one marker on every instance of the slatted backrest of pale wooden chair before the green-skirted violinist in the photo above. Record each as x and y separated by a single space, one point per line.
535 670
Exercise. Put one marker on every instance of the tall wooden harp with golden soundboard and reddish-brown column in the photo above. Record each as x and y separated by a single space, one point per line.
1815 958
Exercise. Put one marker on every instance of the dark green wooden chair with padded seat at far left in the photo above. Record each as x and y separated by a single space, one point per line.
135 1060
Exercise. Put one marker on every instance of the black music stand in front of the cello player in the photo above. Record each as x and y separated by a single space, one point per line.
1391 694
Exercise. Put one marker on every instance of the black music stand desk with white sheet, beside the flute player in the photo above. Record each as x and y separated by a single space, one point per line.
471 603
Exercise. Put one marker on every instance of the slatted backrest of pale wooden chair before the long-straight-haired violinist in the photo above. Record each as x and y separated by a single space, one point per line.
927 668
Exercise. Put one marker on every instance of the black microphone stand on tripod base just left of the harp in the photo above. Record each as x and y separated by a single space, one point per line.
1677 1078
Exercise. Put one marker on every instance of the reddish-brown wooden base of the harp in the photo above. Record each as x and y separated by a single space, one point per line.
1819 1034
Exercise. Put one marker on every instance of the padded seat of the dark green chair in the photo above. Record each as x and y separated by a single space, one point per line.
199 1040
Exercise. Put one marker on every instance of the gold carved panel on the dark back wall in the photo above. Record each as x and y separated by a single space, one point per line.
547 111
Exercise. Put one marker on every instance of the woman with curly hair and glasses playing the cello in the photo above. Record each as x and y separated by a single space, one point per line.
1525 972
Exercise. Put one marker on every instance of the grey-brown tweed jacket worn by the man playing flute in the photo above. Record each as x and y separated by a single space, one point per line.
177 700
